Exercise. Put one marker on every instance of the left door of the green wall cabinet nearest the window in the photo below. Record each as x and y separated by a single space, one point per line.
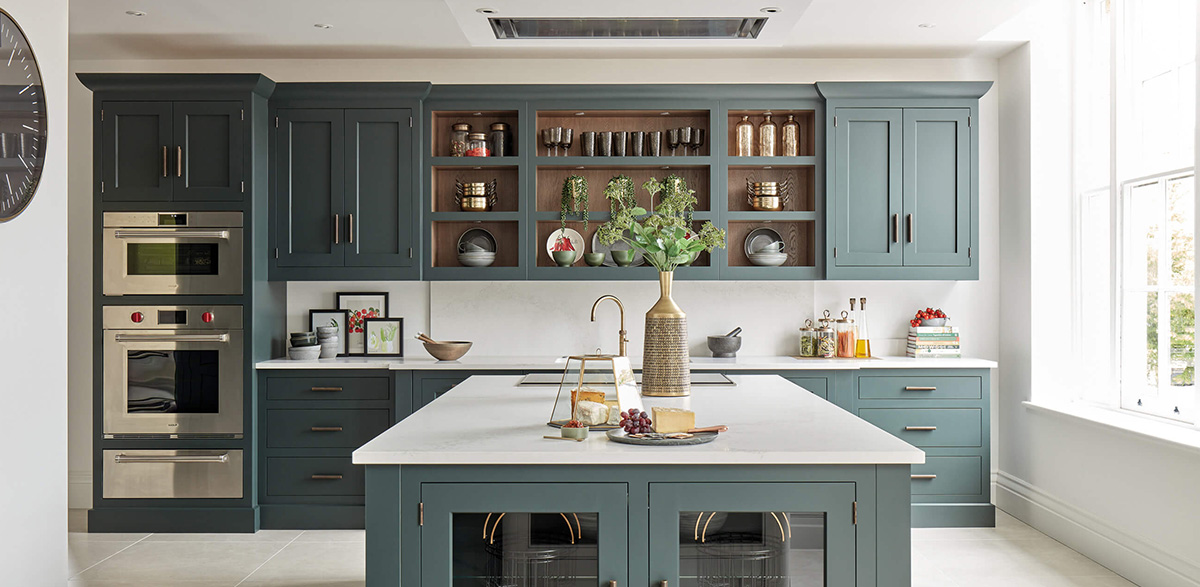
868 188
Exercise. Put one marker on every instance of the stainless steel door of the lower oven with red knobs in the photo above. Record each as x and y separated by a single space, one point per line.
173 382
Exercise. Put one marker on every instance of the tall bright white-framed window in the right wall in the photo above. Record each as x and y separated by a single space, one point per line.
1136 205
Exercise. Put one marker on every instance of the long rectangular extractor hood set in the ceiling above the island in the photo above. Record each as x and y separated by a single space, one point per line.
627 28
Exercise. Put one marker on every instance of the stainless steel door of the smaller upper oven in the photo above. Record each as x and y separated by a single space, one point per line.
173 261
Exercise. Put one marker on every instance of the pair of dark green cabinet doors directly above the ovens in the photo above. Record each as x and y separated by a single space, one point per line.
173 152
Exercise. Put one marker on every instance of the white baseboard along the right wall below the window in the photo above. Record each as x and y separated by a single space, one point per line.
1132 558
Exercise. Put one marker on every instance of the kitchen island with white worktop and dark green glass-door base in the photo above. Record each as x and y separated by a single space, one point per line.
799 488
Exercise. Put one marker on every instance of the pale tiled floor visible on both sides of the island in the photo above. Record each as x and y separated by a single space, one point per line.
1009 555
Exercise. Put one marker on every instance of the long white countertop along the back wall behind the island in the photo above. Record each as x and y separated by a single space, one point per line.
557 364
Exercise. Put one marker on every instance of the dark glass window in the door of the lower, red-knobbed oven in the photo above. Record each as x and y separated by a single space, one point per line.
182 382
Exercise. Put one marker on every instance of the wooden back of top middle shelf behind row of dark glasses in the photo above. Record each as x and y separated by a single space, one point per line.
622 121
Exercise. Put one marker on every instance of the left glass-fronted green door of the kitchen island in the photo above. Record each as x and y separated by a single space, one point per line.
545 534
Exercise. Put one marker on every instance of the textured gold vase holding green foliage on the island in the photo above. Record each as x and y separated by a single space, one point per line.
667 369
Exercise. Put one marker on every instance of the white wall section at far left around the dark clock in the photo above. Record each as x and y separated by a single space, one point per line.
33 295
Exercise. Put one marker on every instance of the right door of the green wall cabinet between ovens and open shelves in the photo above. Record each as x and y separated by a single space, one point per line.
381 218
